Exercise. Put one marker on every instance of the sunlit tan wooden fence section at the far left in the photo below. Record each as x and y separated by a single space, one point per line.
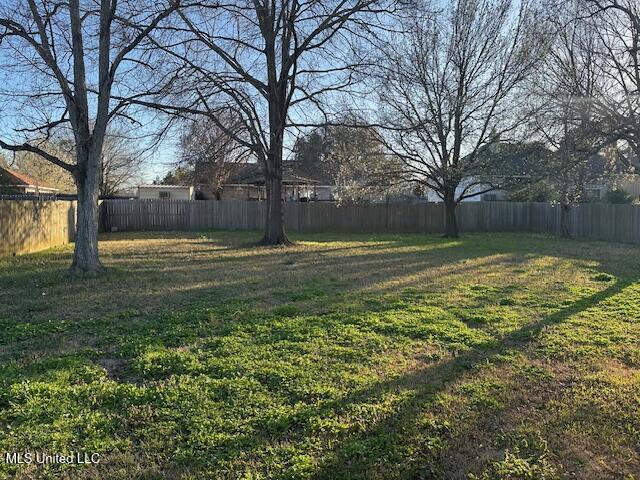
30 225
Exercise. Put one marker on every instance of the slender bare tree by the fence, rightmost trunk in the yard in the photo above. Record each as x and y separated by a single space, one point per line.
571 87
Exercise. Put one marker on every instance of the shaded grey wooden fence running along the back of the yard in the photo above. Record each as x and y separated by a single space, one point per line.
619 223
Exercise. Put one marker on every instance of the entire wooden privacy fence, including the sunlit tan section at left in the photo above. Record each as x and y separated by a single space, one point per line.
29 226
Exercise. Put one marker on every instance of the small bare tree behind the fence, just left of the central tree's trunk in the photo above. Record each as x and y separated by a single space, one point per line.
210 152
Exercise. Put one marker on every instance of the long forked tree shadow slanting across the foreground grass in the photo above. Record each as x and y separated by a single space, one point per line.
365 454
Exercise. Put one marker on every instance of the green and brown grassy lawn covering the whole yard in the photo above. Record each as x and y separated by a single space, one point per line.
343 357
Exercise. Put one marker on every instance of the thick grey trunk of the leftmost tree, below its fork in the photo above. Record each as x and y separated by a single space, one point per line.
85 254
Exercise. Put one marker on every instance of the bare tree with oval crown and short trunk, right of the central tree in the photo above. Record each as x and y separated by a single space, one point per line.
453 85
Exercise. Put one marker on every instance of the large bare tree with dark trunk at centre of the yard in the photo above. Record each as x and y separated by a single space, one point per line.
266 60
